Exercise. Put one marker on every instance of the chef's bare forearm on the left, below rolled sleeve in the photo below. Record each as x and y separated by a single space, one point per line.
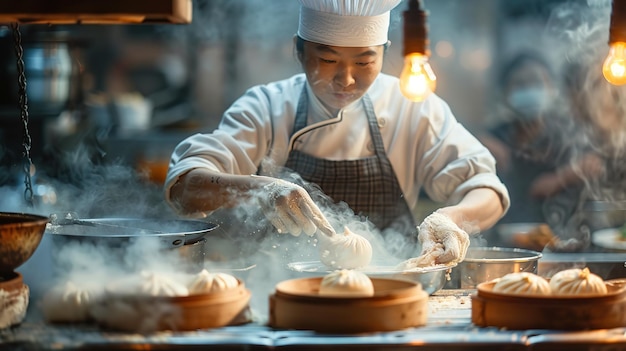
202 190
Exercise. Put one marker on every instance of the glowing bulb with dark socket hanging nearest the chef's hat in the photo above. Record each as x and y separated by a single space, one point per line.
417 79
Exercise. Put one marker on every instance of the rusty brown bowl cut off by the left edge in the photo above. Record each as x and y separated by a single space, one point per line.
20 234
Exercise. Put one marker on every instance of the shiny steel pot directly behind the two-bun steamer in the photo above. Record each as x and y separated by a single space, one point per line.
482 264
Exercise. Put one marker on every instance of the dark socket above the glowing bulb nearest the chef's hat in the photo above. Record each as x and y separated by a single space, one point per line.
415 29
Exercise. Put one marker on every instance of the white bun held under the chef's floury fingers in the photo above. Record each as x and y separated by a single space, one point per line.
345 251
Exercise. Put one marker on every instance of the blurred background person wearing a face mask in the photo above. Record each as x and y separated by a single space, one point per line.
536 148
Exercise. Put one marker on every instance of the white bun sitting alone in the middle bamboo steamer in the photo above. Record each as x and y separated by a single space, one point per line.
346 282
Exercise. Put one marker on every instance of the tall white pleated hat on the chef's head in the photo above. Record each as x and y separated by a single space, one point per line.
351 23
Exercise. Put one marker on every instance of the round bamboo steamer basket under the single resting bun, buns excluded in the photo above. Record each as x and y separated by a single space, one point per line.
396 304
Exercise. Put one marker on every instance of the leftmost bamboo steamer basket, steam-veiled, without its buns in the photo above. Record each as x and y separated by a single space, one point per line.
145 314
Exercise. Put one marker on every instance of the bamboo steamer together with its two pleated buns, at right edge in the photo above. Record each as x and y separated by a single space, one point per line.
572 299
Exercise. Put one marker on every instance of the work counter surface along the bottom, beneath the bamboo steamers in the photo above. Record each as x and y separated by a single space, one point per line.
449 328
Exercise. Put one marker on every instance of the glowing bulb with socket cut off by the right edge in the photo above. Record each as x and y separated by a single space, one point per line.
614 67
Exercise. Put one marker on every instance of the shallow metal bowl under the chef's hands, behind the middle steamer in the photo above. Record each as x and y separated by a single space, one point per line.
432 279
